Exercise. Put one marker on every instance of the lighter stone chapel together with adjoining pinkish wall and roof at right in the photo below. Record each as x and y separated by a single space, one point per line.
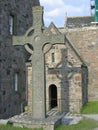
80 51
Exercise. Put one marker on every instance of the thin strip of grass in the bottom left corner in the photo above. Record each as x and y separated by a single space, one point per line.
10 127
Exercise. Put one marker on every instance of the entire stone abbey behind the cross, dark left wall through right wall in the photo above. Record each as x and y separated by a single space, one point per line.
71 69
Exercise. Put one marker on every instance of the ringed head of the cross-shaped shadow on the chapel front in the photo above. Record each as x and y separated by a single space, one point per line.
64 69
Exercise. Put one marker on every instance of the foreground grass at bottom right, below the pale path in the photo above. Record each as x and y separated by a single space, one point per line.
85 124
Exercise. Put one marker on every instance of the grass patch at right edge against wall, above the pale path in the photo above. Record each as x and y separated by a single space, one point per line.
90 108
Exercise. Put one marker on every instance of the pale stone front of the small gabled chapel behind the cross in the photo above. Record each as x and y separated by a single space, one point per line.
71 92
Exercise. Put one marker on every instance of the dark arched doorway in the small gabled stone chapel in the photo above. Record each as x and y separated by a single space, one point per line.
53 95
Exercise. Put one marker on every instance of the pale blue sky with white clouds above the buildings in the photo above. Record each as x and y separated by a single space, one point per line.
55 10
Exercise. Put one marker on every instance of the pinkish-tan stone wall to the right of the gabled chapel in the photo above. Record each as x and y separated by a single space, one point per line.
85 40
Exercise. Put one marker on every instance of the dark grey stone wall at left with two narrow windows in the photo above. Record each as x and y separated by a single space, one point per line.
12 59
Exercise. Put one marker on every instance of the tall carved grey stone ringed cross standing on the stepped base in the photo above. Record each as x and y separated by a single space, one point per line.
35 40
